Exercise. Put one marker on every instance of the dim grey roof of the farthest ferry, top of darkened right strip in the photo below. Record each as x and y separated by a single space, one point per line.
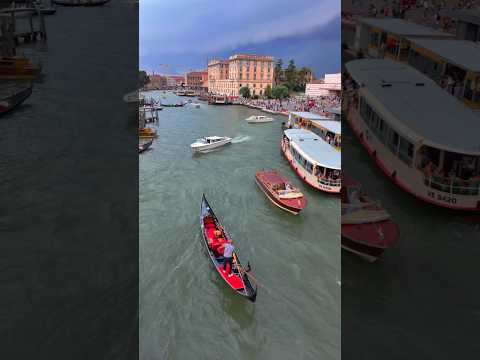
403 27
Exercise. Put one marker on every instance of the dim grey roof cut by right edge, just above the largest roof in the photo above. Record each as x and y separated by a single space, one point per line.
463 53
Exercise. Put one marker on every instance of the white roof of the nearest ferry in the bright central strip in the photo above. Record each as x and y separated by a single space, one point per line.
313 148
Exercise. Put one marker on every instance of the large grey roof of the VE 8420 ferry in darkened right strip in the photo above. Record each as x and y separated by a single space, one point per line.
416 106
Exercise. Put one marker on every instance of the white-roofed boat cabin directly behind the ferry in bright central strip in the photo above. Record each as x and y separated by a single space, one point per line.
327 129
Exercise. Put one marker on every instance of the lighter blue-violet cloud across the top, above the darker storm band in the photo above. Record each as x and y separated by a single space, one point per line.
205 26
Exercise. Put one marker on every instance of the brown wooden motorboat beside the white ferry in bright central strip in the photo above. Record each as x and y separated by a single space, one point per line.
280 191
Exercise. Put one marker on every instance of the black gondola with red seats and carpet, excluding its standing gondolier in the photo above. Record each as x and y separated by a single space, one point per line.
213 236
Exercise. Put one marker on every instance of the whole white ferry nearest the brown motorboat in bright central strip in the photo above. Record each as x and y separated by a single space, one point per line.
314 160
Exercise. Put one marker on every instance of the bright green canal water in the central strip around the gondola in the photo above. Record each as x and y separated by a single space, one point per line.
186 311
